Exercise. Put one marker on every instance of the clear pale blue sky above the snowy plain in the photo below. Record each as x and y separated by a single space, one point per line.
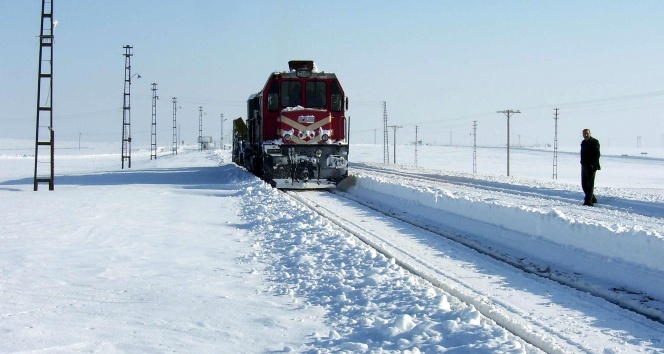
439 65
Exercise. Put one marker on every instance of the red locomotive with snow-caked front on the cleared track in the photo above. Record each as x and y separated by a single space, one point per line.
296 132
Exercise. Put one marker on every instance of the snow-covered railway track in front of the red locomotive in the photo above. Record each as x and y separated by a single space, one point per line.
450 262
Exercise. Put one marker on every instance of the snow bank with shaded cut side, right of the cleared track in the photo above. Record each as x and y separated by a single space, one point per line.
620 247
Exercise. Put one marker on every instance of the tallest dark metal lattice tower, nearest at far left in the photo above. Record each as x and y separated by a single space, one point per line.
45 136
